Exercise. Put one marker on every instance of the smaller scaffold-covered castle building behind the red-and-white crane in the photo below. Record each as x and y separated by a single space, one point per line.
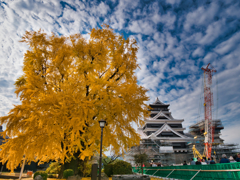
219 147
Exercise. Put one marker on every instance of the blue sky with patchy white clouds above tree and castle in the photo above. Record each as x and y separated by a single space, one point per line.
175 38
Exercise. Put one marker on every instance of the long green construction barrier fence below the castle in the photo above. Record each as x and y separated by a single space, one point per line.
197 172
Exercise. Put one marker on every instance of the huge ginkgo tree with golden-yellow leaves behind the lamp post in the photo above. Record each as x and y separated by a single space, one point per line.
68 85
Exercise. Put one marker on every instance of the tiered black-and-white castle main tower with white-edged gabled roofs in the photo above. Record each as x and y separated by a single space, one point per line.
164 135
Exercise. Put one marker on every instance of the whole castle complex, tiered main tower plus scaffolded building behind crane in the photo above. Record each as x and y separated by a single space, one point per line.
164 141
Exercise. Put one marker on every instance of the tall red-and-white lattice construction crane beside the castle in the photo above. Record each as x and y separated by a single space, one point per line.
208 103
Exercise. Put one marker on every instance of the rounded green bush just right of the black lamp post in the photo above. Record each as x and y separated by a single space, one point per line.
122 167
